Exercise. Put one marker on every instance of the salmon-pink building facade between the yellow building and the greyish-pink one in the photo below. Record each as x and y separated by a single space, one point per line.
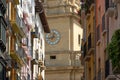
100 39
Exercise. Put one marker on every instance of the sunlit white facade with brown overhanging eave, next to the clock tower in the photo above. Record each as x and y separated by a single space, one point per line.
38 43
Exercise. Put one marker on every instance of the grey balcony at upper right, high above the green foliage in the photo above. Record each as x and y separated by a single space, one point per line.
110 7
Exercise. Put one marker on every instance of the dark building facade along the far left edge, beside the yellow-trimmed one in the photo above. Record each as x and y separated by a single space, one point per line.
3 39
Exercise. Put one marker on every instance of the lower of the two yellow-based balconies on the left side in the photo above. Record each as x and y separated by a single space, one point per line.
16 51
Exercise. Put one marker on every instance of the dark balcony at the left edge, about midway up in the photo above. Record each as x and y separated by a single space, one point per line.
2 34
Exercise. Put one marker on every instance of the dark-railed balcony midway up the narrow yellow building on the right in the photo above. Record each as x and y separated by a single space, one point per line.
90 43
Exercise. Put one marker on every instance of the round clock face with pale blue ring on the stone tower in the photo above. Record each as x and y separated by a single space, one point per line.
53 37
